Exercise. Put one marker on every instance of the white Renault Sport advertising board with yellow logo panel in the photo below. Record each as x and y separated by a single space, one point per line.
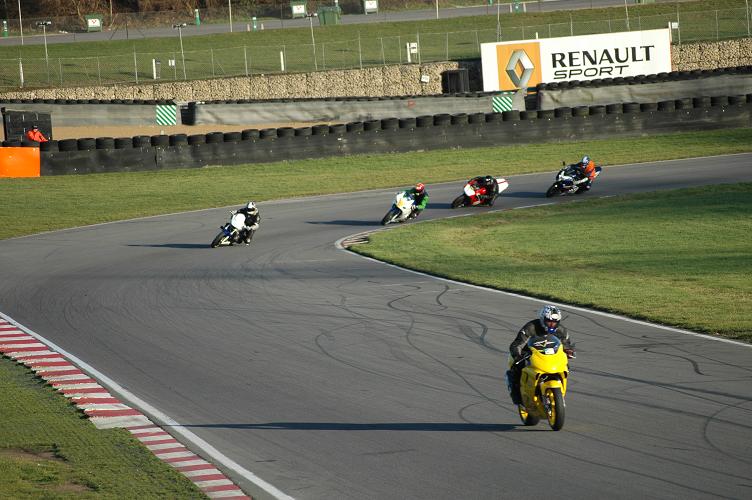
526 63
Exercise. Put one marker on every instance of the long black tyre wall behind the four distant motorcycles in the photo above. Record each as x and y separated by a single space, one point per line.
441 131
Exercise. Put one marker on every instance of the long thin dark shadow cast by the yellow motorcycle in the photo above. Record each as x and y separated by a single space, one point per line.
343 426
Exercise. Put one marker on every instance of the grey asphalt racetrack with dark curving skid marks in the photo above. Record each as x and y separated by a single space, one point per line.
329 375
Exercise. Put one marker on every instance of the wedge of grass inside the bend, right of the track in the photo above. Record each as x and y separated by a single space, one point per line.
679 258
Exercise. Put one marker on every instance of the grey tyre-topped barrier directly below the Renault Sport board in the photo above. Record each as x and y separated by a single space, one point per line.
594 92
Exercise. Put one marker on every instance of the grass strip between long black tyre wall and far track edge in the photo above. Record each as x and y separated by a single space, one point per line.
41 204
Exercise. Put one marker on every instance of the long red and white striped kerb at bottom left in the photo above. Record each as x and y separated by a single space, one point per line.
106 411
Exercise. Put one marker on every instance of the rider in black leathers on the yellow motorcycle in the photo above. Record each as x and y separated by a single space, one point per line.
547 322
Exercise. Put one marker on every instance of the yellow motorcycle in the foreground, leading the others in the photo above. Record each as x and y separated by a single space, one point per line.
543 383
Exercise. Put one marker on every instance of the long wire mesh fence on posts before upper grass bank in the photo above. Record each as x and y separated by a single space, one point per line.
140 67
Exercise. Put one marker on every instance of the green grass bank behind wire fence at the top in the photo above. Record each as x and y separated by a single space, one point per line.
346 46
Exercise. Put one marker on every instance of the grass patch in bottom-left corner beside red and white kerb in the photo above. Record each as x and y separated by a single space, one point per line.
49 450
